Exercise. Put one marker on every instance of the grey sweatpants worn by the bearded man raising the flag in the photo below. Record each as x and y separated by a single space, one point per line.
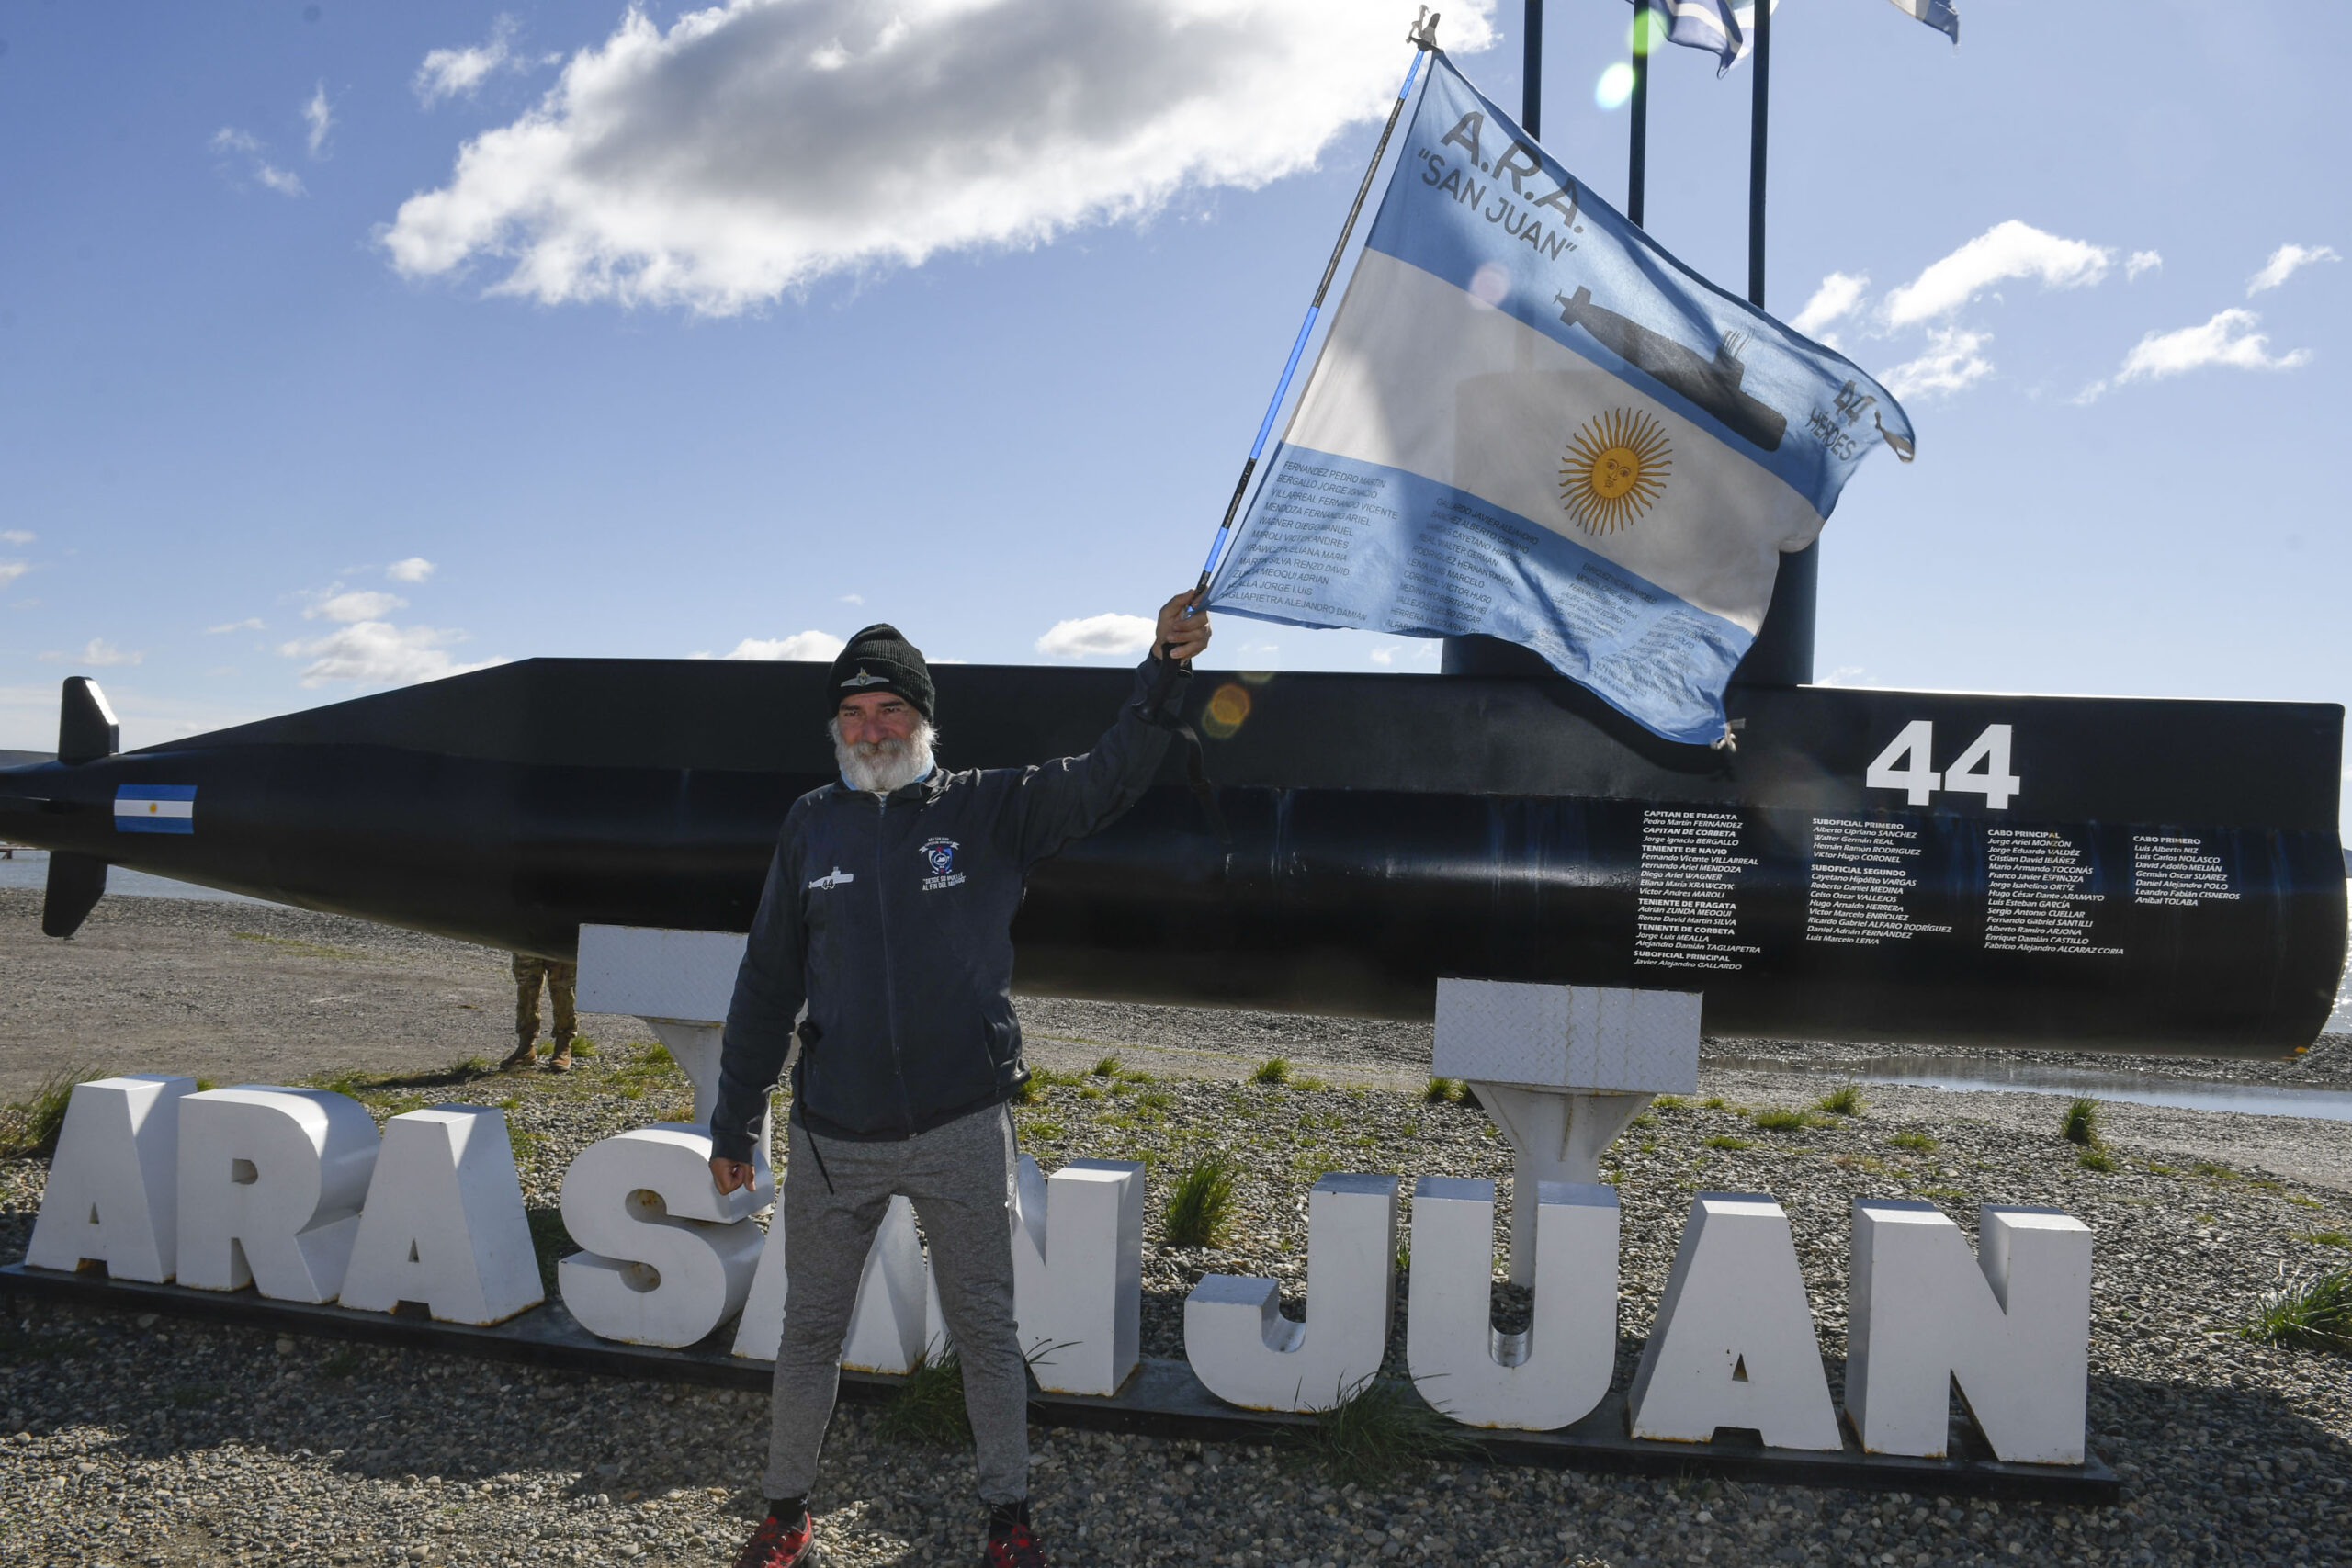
961 1179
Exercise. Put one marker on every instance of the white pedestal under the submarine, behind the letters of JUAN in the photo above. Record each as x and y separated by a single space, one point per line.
1561 1071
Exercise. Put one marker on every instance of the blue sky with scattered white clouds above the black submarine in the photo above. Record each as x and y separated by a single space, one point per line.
352 344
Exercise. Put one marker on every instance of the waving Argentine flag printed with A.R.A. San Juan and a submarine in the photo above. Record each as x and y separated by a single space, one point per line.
1530 422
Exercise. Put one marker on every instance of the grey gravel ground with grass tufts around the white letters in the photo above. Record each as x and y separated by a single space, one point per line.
161 1442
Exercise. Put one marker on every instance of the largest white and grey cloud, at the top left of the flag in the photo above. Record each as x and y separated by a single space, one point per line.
759 145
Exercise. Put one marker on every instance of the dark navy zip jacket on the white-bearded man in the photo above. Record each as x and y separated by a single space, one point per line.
893 920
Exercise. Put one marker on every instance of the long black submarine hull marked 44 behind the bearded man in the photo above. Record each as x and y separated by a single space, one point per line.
1878 866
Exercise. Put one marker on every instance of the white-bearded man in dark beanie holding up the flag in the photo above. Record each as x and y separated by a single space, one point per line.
888 913
